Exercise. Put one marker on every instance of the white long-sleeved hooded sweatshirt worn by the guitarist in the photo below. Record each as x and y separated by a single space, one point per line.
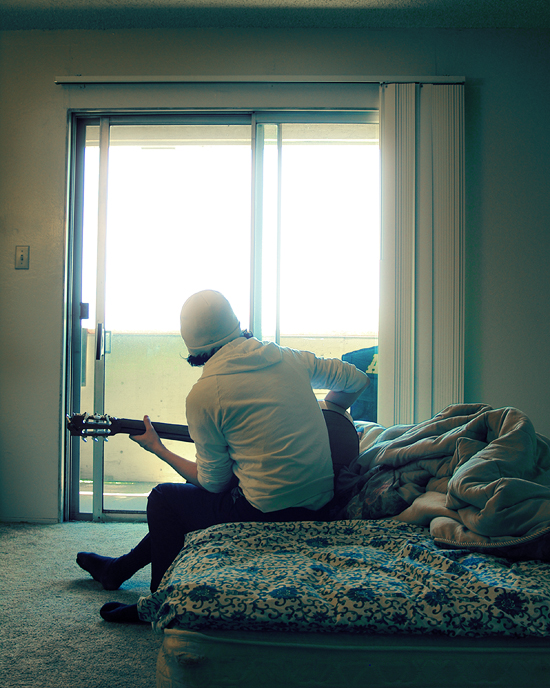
253 414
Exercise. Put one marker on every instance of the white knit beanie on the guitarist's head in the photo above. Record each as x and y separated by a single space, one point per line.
207 322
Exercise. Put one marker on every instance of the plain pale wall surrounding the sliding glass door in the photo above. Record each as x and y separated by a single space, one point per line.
508 242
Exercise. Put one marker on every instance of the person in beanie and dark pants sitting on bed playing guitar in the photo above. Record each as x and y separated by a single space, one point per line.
262 447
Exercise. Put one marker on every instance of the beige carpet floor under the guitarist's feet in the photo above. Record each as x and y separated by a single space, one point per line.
51 633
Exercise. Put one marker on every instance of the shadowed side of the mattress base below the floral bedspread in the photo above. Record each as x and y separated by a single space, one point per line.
225 659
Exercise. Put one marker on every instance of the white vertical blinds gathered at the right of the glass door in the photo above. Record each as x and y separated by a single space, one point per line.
421 339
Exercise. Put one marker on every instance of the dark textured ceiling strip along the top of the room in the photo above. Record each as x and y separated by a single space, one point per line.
129 14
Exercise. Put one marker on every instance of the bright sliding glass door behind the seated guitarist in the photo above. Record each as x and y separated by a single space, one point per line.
278 211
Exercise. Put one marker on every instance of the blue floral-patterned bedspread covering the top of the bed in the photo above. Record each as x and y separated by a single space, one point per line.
378 576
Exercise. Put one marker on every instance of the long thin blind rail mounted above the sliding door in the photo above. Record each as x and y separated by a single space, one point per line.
79 79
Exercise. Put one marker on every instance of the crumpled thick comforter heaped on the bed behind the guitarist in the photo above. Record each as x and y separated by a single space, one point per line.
472 473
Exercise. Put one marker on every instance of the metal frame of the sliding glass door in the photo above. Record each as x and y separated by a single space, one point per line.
78 122
